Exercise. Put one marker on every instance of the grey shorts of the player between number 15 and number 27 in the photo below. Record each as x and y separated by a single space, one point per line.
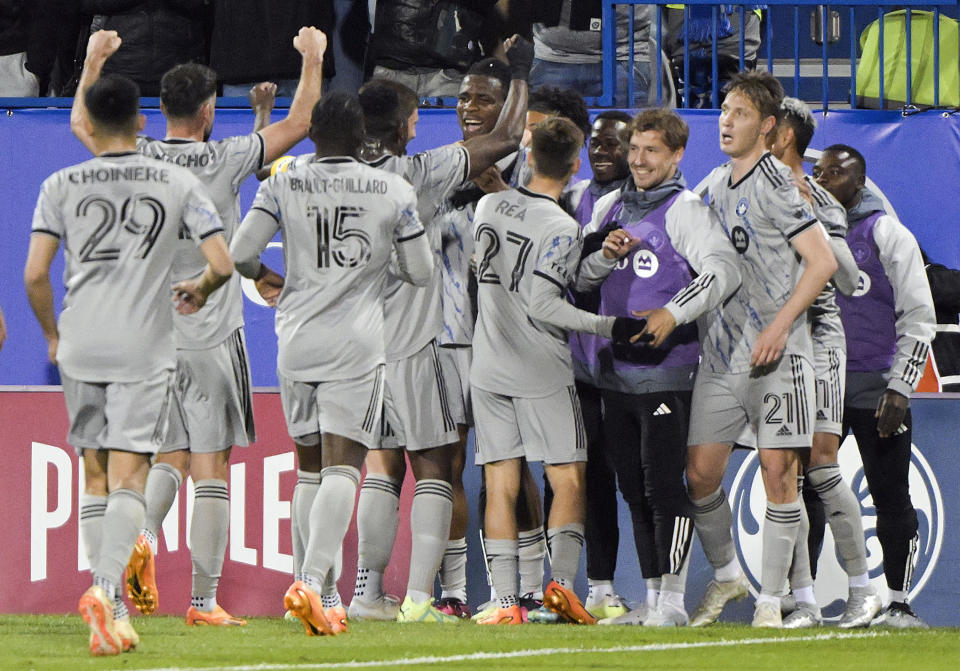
416 413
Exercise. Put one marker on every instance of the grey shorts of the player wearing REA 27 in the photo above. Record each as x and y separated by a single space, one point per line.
548 429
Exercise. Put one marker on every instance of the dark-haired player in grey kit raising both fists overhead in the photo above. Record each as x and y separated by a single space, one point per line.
213 378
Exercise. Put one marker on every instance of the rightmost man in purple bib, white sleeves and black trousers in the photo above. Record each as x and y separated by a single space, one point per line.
889 323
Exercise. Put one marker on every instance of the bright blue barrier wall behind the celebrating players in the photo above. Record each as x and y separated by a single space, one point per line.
912 160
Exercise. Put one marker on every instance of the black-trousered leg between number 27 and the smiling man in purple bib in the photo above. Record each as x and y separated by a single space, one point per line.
602 532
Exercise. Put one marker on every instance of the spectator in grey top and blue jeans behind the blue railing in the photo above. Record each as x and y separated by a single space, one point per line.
569 53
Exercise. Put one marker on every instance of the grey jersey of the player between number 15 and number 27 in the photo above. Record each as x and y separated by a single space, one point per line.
414 315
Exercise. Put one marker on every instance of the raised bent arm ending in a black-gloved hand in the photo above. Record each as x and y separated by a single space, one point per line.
485 150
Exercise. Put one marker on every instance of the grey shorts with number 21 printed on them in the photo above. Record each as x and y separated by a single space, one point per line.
778 407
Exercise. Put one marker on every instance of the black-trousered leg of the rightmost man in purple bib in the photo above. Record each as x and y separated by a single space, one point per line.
886 465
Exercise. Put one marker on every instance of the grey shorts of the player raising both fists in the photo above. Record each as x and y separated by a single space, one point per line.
213 393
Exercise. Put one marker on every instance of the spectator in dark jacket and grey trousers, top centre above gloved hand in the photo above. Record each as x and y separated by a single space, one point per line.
428 45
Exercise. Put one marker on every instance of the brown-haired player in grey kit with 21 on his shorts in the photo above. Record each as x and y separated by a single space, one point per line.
756 364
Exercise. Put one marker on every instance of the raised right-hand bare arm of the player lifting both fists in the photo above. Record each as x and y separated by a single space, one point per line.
279 137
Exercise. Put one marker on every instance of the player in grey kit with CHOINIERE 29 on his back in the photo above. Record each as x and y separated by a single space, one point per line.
119 216
